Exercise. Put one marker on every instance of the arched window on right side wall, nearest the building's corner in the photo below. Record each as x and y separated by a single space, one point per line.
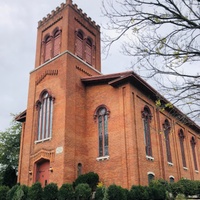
146 115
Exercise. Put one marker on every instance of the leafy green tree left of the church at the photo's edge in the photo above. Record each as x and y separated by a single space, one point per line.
9 153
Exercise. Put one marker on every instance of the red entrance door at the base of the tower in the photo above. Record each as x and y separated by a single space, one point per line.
42 172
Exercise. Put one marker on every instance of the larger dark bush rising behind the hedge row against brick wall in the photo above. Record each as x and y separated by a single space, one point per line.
90 178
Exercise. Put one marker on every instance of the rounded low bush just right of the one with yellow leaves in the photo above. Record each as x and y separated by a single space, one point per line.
116 192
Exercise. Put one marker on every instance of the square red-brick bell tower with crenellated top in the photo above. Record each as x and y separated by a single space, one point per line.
67 49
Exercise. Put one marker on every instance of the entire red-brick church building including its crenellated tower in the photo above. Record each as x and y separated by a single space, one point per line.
78 120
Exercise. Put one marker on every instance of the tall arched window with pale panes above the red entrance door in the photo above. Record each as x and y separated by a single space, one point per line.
45 114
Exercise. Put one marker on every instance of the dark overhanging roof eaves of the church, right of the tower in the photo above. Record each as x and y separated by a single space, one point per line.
118 79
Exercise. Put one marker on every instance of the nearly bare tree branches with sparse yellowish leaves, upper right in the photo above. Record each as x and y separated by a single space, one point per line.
162 37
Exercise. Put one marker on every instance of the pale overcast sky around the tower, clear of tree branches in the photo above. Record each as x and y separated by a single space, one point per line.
18 28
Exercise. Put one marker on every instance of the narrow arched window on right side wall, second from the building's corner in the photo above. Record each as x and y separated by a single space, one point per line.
166 127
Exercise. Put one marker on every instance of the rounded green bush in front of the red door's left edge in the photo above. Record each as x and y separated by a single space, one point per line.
35 191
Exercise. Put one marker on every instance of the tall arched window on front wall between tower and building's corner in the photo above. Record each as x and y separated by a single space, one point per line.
102 117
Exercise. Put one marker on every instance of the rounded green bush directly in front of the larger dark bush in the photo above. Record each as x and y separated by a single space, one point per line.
83 191
